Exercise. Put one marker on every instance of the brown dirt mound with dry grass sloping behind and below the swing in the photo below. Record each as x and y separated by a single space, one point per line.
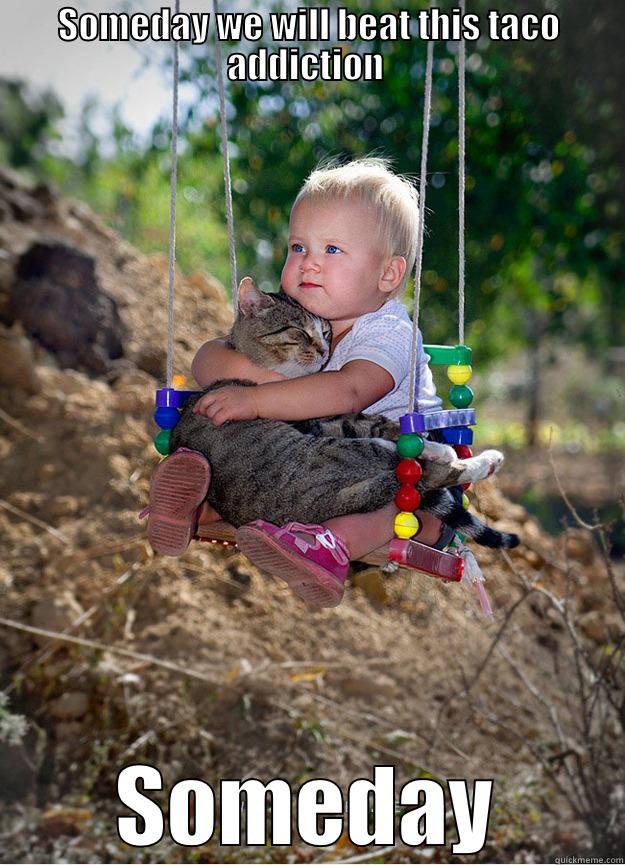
205 667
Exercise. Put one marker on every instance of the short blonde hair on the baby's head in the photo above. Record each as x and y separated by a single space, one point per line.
369 180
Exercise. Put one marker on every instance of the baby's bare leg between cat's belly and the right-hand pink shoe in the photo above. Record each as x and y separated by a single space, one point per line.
363 533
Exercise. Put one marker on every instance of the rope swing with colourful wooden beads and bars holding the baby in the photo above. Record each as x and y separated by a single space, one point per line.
453 423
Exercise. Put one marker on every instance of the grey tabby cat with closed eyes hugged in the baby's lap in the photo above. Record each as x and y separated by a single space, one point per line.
313 470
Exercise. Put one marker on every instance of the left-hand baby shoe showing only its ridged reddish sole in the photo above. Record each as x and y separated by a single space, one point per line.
179 486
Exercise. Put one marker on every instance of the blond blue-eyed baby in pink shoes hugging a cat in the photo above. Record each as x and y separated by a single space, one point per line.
351 249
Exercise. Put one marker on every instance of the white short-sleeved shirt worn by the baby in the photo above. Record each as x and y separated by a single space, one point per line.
385 337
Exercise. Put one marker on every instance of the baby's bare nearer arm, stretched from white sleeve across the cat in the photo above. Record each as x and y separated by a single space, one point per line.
354 387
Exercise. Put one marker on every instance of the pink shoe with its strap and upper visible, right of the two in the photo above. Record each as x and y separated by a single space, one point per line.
315 571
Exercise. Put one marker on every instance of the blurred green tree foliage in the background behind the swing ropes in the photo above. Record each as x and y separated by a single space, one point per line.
545 172
